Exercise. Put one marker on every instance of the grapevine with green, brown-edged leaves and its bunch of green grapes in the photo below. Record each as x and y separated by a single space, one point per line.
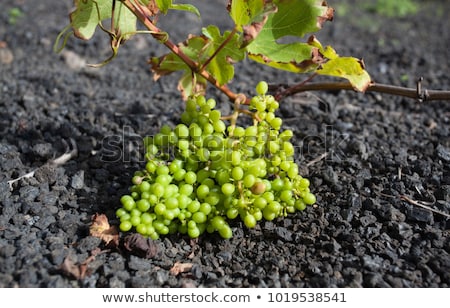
211 169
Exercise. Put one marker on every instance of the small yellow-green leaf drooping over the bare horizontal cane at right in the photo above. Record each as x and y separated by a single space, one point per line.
349 68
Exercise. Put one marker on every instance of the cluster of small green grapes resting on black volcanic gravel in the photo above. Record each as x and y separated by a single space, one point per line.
204 173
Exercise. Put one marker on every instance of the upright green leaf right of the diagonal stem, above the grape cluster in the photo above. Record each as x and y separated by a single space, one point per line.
221 66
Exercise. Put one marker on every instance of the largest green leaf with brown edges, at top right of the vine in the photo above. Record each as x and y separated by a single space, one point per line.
292 18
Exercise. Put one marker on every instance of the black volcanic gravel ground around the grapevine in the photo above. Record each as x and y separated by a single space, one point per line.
372 159
